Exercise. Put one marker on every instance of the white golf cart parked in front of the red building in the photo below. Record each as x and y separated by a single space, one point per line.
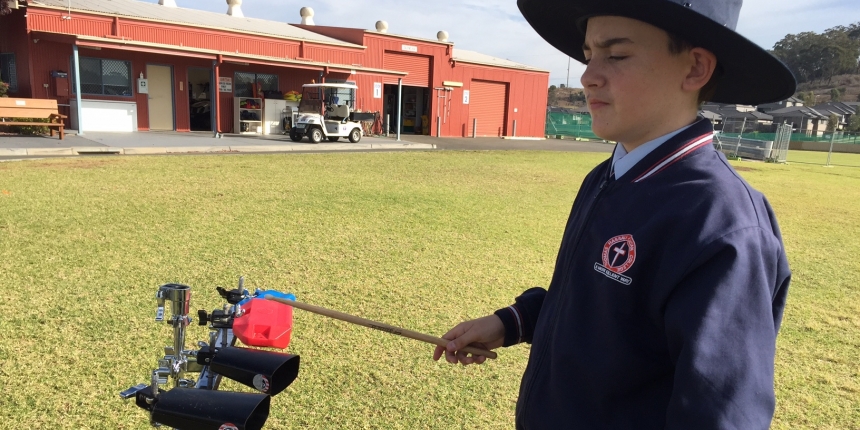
326 112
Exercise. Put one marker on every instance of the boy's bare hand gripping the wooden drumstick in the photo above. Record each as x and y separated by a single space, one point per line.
487 333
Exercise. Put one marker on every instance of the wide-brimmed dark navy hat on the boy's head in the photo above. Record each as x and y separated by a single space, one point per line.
750 75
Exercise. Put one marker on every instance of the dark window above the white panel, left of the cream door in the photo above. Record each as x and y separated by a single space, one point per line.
105 77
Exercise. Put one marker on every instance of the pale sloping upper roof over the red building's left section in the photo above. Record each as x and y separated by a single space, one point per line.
194 17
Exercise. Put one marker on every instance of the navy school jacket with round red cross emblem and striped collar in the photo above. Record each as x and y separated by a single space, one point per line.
665 302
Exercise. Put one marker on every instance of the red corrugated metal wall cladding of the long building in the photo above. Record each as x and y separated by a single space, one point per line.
526 90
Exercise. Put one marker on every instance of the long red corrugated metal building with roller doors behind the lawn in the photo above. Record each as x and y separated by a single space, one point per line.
194 61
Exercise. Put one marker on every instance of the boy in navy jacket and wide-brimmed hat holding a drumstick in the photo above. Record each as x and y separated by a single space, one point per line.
671 277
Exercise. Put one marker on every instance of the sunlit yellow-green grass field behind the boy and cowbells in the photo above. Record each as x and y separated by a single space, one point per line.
419 240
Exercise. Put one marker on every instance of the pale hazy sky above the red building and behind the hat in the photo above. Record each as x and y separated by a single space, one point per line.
495 27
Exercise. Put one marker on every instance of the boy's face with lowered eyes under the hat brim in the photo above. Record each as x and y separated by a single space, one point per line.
633 83
